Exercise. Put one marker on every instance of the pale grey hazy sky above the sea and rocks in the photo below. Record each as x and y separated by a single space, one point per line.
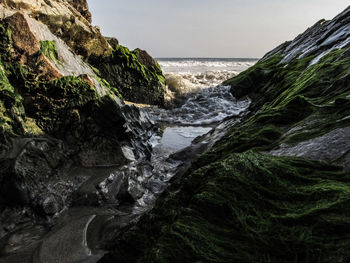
209 28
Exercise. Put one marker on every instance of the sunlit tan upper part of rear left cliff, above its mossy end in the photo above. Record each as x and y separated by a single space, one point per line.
65 21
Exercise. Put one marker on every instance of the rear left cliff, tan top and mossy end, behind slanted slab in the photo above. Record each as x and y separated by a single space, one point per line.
70 21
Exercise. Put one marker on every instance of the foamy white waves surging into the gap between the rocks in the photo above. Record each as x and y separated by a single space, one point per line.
195 94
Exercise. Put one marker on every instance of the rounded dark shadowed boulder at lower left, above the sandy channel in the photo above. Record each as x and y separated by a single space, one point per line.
29 176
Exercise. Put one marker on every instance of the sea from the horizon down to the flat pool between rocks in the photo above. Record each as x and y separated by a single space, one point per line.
199 100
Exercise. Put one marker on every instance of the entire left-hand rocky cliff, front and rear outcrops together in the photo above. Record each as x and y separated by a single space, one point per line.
64 129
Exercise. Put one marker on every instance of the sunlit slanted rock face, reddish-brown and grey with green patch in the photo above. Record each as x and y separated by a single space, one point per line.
48 56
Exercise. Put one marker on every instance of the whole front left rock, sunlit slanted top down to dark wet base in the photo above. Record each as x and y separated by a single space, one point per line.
62 128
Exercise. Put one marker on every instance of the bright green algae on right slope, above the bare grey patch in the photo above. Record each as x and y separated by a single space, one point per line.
314 97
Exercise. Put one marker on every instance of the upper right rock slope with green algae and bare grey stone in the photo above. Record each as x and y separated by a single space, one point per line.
302 91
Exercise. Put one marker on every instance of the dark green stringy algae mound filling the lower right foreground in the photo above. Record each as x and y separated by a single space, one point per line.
248 207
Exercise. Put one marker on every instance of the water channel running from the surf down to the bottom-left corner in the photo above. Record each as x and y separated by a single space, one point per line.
113 198
